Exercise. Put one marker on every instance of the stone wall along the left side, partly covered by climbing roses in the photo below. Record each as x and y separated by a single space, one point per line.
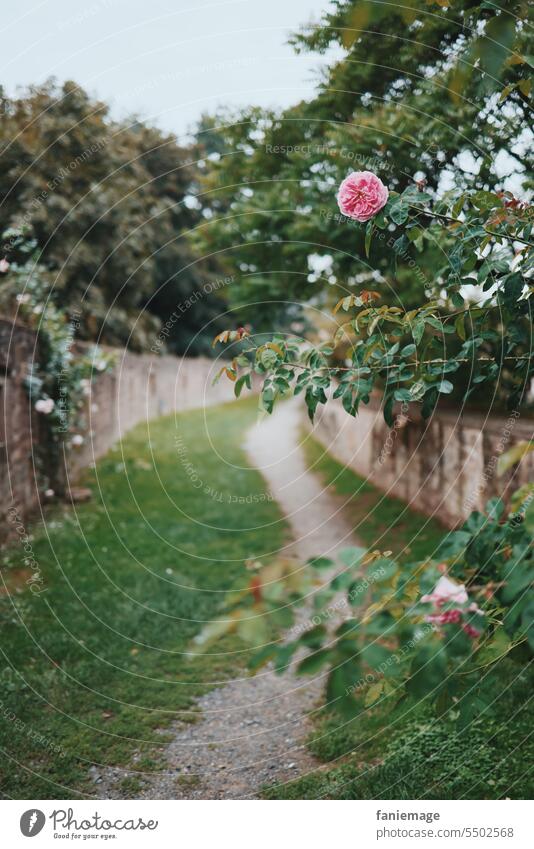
139 387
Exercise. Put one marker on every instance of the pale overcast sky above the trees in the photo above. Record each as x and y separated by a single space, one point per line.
168 60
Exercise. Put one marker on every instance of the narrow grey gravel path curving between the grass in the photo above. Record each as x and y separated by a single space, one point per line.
253 729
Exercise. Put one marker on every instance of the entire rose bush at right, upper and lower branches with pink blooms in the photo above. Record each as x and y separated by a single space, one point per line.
432 630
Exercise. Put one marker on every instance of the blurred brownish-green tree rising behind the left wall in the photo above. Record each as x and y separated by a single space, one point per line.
108 206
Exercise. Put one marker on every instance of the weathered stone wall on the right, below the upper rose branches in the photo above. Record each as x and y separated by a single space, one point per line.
445 467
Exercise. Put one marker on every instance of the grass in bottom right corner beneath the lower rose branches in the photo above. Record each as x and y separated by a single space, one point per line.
385 755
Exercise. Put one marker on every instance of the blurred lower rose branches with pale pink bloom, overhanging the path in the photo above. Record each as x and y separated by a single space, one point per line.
401 632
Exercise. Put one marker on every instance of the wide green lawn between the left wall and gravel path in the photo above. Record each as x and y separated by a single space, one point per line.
96 664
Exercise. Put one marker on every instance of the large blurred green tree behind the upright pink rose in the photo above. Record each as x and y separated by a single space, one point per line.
446 127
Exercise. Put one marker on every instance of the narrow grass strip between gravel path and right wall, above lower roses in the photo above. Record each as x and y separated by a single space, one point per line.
378 520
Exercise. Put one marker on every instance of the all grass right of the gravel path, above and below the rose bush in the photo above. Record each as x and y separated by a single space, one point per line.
383 754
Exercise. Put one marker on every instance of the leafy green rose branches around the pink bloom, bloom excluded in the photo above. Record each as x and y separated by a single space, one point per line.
413 355
